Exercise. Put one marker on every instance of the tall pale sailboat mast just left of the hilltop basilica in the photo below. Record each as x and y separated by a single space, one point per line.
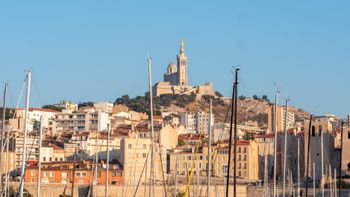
149 61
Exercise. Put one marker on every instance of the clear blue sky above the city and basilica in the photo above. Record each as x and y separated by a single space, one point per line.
96 50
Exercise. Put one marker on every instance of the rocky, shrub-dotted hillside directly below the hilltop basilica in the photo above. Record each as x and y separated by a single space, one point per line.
251 111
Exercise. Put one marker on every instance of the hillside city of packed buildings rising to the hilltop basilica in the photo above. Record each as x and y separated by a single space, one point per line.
86 143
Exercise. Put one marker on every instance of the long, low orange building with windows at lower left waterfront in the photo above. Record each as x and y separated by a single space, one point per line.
64 173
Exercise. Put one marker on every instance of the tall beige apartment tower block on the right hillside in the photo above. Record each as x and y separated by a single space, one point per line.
281 119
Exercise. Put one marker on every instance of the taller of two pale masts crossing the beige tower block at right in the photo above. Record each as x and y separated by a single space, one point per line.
275 143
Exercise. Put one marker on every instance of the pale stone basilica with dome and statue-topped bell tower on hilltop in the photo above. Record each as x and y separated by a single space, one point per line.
176 79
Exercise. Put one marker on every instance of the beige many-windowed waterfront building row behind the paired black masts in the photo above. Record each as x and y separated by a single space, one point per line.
188 158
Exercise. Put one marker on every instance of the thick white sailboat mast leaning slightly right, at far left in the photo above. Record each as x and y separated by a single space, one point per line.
21 188
